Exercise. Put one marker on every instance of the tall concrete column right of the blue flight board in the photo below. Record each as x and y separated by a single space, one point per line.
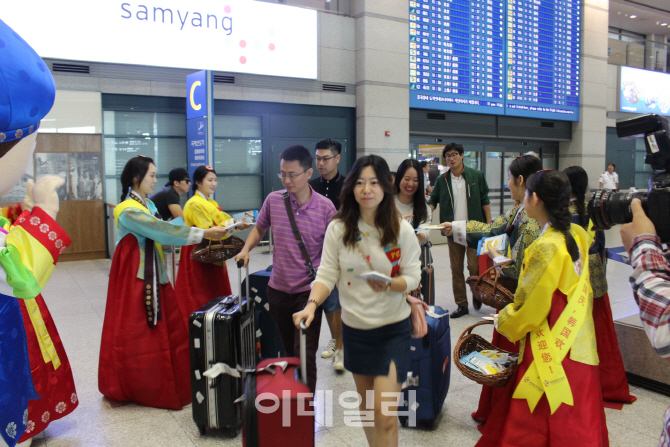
587 148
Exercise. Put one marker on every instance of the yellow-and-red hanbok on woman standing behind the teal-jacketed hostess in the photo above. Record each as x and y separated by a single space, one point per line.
198 283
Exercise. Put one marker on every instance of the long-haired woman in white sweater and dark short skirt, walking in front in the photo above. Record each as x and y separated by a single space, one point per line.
368 234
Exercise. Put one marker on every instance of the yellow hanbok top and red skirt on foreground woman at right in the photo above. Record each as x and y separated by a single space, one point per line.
553 398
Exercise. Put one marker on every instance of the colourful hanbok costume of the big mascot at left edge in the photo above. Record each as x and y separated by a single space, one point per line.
29 250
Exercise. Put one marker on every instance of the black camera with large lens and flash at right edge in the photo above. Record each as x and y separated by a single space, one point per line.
607 208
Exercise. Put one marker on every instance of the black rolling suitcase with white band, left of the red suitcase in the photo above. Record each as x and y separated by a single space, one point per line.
222 344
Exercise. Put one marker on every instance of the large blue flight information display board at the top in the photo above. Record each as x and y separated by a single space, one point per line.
503 57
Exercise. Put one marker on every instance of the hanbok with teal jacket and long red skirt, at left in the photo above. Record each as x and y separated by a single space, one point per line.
144 353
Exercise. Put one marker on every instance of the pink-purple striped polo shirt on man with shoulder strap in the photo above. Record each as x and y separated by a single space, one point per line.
289 272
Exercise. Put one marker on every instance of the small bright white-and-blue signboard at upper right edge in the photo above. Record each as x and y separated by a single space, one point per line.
644 91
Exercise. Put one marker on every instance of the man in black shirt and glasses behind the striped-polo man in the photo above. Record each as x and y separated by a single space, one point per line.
330 185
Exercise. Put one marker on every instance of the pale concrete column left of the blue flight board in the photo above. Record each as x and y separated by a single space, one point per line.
382 78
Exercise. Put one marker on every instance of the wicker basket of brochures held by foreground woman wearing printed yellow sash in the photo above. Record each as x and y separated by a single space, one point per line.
468 343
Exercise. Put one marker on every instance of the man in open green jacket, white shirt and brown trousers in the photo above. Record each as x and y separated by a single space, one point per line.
462 194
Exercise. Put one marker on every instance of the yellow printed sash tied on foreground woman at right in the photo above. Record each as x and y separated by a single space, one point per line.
550 346
